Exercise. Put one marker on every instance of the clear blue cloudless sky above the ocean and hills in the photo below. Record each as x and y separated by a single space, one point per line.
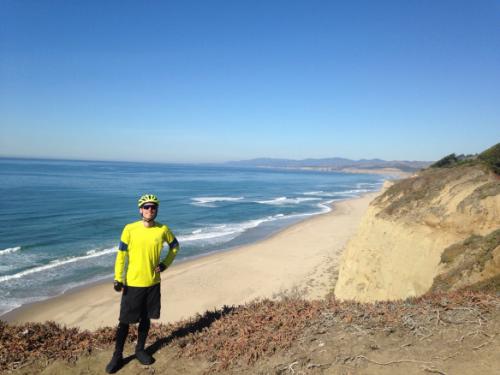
191 81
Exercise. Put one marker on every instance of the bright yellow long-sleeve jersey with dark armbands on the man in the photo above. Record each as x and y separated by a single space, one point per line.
140 247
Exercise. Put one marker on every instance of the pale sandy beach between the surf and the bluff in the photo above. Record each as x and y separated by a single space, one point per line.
303 258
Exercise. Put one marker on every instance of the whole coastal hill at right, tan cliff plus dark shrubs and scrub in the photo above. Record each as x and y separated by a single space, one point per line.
438 229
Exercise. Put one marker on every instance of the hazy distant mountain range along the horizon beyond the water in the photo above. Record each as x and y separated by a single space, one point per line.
331 164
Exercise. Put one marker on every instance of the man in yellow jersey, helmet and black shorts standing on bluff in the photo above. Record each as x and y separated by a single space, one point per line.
140 244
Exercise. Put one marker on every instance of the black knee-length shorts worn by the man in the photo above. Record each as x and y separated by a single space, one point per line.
140 302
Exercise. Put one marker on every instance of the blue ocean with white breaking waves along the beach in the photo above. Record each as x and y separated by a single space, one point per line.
60 221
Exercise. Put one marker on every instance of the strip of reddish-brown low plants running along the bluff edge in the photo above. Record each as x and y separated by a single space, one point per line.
239 336
